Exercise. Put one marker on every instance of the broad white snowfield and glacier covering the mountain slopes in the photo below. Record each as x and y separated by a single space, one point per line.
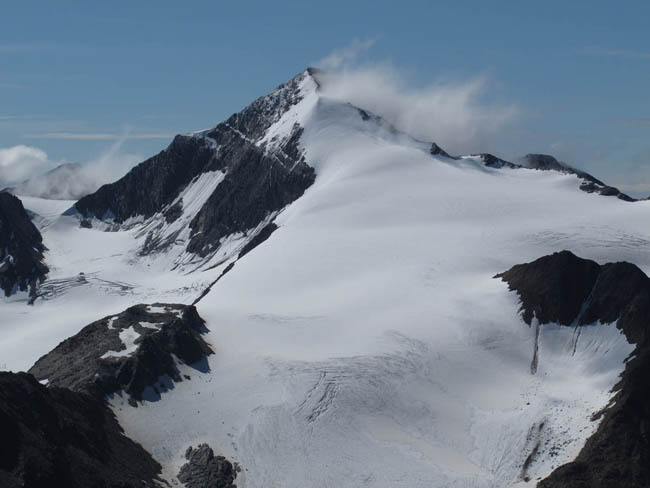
366 342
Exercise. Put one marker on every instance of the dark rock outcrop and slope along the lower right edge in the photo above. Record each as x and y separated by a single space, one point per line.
566 289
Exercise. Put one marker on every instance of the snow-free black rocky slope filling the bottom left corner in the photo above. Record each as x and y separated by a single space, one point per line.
57 437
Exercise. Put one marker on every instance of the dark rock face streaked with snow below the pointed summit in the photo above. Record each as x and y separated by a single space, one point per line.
261 177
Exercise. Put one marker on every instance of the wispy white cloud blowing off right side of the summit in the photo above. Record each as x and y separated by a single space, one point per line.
457 115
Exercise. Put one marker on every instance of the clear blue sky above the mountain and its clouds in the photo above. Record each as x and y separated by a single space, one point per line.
75 77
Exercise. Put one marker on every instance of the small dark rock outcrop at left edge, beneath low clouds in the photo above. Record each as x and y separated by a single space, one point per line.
21 248
